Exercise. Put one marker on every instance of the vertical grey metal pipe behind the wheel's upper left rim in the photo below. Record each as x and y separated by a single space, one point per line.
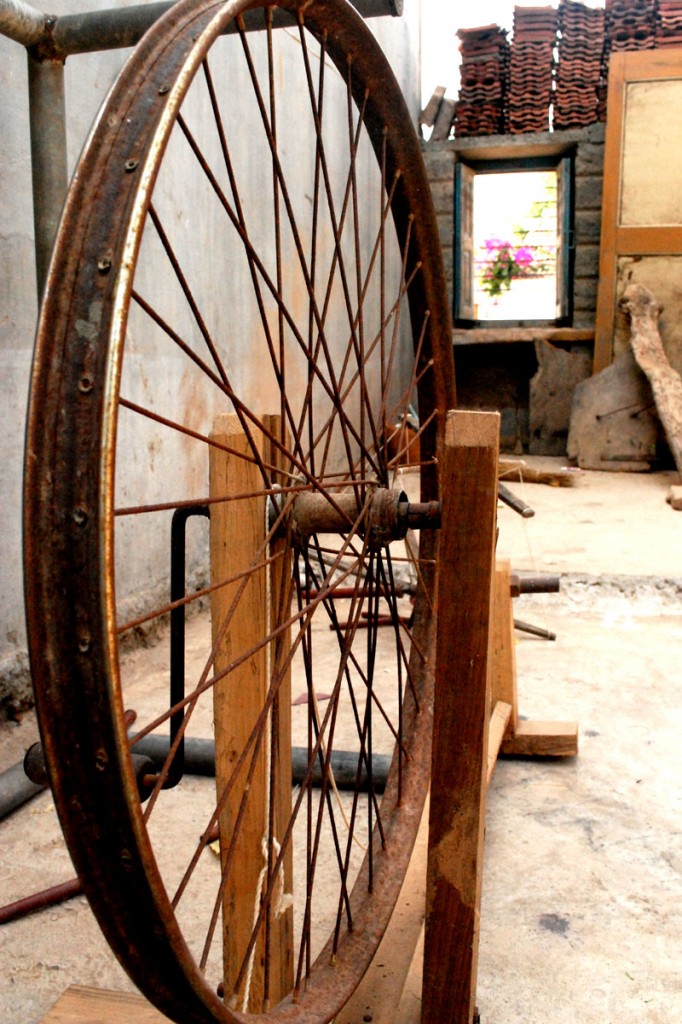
49 157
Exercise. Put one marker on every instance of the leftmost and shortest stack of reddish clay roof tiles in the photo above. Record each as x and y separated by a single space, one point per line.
484 73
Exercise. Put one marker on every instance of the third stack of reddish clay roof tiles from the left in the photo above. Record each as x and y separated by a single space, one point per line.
579 94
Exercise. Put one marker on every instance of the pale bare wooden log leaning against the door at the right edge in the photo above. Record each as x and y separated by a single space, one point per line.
651 355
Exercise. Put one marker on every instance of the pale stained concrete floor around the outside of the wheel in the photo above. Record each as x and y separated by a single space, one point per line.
582 910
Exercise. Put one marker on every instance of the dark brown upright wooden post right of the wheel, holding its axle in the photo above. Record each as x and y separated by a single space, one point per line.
470 476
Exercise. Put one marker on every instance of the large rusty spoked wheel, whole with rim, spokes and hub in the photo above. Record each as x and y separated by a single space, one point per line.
245 306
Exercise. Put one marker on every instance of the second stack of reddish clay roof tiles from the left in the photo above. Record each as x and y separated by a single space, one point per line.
531 69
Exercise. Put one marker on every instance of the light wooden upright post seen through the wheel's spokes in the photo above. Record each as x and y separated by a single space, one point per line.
238 533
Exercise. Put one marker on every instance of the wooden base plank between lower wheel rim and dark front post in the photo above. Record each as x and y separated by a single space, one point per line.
380 992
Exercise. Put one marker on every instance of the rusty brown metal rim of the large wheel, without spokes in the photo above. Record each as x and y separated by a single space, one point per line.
71 480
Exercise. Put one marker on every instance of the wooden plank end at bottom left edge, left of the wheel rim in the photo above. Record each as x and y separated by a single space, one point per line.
83 1005
